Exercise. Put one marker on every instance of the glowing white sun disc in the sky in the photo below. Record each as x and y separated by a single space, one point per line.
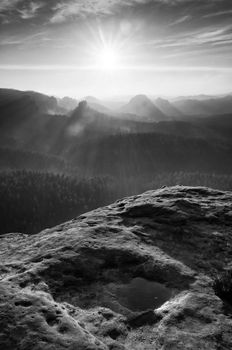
108 59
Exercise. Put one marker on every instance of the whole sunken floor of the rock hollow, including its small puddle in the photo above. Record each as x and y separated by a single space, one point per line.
133 295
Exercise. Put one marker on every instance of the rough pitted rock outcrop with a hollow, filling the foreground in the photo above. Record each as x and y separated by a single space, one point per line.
88 284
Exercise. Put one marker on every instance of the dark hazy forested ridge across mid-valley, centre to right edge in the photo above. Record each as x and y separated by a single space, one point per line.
147 154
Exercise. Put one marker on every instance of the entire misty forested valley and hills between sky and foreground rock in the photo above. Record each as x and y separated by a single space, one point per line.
54 167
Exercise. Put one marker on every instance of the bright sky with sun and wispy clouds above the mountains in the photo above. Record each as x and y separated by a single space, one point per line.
116 47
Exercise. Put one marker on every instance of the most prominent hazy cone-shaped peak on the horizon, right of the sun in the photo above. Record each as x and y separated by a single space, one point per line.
142 106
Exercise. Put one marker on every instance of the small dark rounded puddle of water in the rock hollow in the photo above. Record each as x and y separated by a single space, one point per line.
141 294
